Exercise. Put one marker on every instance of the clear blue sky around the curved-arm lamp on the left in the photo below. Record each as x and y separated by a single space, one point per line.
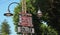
3 9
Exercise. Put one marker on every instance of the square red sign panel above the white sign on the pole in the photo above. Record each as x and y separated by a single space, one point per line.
26 21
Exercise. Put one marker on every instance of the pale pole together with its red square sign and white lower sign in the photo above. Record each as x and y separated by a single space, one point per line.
25 21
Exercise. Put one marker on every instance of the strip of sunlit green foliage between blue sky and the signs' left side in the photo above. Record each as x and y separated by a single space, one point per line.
17 10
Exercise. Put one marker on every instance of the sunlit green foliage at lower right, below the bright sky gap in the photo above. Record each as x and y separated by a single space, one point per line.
47 30
